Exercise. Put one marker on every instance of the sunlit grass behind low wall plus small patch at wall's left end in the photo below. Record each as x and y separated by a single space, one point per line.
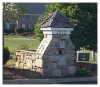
13 42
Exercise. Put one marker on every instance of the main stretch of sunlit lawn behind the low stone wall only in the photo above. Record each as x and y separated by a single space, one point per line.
13 43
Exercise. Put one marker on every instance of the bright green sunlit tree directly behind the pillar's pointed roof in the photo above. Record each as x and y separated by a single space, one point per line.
64 8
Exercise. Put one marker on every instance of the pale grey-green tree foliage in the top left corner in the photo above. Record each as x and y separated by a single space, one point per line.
12 12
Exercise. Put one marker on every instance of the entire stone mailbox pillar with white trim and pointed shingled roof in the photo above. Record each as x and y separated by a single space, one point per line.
55 55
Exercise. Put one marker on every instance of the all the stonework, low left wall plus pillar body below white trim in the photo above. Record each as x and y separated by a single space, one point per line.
46 60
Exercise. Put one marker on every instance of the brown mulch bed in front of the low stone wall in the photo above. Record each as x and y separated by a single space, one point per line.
10 73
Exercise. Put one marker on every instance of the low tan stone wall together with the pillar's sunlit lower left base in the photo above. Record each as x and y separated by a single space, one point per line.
28 60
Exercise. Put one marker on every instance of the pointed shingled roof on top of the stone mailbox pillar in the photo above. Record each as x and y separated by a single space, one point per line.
57 20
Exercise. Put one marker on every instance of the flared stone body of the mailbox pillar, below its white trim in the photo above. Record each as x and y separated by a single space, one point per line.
53 63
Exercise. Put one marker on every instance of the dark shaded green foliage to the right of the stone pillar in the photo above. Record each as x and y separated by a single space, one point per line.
85 32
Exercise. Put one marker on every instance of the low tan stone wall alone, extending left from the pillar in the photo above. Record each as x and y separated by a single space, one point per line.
24 59
